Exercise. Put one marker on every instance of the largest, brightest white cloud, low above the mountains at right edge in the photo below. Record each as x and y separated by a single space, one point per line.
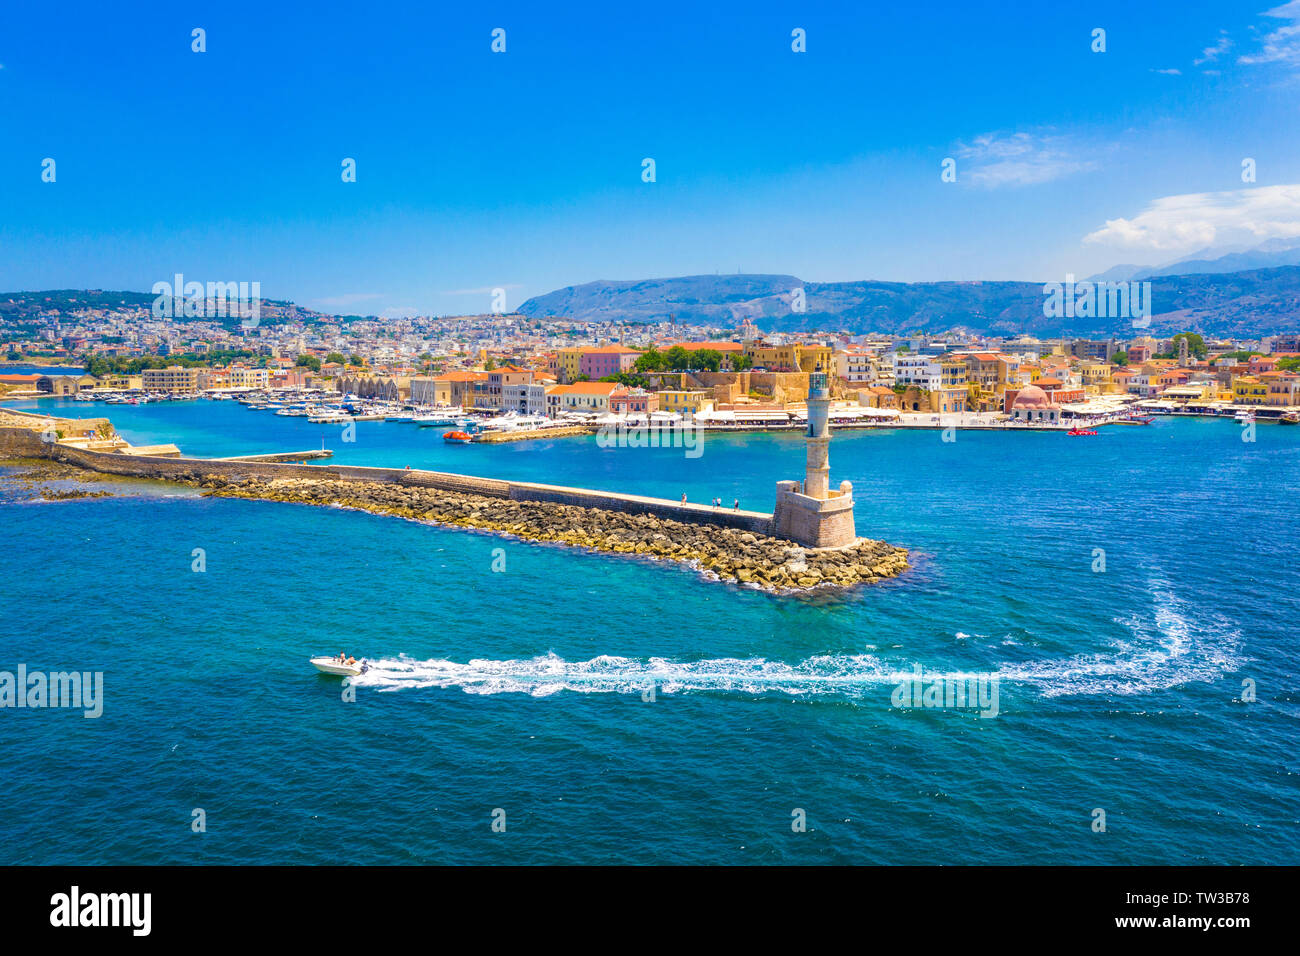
1201 219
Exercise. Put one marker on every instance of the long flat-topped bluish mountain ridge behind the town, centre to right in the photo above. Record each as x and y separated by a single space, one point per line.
1238 304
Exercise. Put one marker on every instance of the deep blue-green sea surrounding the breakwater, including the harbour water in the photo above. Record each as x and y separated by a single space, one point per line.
525 691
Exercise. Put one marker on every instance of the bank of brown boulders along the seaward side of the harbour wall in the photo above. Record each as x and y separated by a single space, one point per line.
760 561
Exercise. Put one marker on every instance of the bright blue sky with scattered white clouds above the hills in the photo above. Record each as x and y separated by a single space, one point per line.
526 170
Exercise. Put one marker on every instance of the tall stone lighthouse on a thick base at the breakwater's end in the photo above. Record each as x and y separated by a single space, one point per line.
809 512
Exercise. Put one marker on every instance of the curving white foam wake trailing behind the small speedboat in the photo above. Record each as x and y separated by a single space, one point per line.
1165 650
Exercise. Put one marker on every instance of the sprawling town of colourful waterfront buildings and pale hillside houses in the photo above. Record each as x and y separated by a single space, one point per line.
729 378
